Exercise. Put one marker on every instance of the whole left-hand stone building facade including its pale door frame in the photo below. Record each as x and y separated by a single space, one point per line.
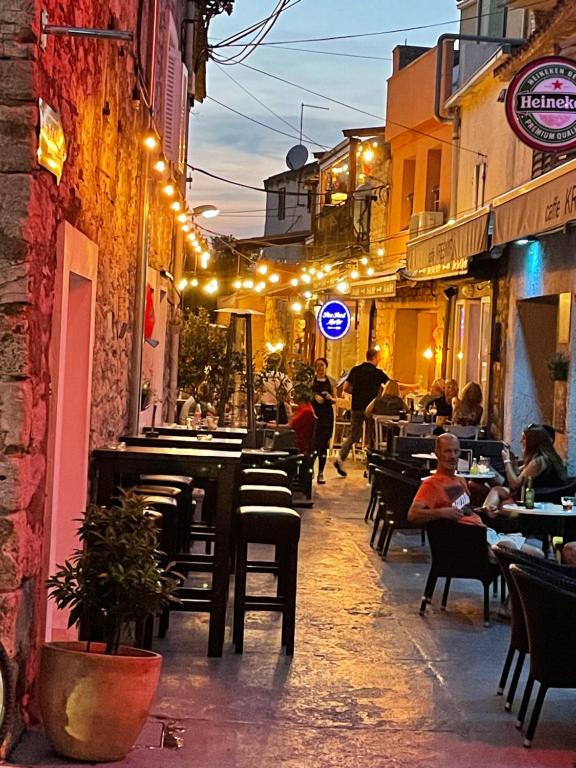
102 92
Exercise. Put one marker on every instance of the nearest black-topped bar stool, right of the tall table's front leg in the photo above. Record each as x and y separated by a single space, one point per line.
279 526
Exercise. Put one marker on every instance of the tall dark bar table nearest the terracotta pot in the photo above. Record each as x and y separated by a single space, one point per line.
109 464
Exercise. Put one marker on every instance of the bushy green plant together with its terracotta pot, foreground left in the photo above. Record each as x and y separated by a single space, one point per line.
95 696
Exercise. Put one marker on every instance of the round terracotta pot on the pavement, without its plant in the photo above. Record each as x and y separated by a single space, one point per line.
94 706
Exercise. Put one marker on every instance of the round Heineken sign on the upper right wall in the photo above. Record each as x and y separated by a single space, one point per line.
541 104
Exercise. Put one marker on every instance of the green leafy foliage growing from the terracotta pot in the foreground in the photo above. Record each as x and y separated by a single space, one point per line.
116 577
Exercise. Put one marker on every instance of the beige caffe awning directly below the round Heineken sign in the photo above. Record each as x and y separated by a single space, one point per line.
543 204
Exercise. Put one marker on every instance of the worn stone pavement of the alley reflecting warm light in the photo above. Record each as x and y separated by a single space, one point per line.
371 684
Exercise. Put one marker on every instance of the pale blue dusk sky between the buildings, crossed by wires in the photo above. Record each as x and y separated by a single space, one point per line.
230 146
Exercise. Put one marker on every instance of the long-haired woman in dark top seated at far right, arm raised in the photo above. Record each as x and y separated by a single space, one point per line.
541 463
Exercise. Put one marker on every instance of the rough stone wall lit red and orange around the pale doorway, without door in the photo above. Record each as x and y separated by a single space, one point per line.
91 83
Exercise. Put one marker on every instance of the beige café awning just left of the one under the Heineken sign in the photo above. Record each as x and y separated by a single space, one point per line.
447 250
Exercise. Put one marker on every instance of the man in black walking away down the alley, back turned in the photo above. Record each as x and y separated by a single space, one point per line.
365 382
